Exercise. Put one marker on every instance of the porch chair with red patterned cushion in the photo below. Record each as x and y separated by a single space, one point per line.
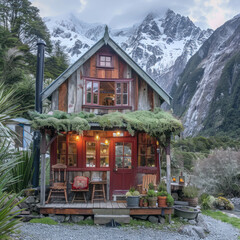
80 185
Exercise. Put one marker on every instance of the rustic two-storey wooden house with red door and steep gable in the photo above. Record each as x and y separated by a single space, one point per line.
106 80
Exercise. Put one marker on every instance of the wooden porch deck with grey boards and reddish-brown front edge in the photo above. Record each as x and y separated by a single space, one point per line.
108 207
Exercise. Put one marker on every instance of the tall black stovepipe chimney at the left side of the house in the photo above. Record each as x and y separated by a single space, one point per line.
38 107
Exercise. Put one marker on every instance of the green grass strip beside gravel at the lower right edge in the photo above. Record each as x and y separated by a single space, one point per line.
223 217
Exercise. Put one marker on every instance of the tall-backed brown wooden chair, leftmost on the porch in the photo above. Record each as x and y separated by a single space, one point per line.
58 181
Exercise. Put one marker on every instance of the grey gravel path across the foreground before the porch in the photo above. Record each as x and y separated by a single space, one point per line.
37 231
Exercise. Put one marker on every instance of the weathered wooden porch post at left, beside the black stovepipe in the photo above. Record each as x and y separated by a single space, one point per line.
43 168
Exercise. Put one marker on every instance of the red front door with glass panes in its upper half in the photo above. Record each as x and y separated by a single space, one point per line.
124 164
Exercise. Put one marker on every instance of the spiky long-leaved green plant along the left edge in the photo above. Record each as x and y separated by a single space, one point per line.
8 109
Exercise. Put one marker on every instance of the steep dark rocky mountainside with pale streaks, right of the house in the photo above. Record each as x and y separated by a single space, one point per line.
207 95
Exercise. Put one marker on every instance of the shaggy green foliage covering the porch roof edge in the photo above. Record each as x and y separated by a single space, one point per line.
156 123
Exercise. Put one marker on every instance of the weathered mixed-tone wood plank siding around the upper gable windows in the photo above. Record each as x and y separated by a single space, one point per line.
70 96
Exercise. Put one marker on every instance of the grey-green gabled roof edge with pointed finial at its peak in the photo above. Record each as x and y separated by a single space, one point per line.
106 40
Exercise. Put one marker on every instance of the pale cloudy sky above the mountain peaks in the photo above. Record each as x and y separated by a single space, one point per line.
123 13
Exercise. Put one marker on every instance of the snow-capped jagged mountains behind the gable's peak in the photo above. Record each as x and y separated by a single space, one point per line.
160 44
